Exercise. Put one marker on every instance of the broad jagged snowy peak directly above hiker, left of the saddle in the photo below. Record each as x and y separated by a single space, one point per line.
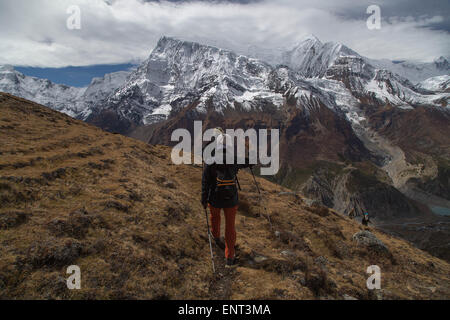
178 73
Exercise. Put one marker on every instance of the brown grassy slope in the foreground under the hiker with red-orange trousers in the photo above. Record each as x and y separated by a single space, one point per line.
73 194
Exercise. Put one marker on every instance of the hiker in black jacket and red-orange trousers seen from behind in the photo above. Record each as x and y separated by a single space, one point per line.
219 191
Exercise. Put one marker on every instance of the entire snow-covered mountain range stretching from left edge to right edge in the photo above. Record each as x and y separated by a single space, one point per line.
178 73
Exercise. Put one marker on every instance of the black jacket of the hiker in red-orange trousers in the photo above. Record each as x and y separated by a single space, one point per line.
209 181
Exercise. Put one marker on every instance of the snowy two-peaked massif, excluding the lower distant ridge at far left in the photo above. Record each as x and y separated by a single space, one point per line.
179 73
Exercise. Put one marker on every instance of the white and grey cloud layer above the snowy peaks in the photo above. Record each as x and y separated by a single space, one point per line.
34 33
